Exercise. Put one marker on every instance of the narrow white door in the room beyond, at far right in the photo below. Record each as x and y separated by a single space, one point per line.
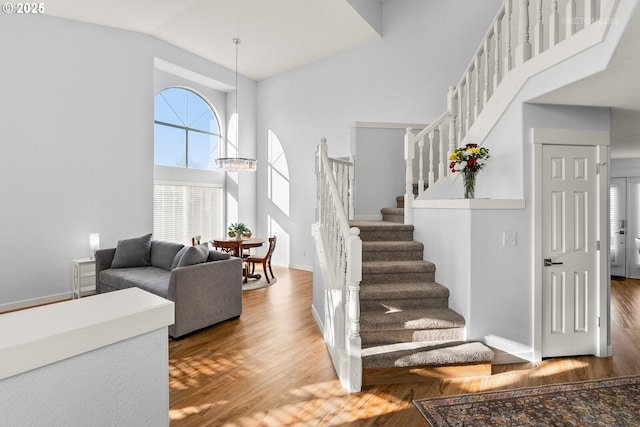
617 226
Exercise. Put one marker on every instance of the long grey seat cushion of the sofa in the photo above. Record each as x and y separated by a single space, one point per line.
151 279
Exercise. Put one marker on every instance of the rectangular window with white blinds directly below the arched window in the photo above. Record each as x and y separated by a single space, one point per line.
182 211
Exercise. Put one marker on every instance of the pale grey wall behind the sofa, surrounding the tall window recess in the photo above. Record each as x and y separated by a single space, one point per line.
76 125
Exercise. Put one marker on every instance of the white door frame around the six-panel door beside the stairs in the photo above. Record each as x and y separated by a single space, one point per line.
600 140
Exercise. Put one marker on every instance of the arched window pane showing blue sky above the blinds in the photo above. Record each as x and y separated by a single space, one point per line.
186 132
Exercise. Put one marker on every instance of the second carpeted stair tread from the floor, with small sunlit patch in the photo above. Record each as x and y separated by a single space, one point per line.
430 318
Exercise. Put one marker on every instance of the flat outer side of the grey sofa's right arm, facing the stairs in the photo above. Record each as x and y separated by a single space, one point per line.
205 294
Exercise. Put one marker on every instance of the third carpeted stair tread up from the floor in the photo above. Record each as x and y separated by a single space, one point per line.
391 291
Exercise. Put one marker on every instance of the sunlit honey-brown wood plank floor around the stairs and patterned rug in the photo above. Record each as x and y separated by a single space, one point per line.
270 367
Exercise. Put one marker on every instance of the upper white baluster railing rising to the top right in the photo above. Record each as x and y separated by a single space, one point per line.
522 30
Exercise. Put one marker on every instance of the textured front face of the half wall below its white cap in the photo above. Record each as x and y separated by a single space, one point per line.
125 383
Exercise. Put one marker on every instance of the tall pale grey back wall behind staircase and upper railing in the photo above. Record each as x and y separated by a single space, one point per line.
403 77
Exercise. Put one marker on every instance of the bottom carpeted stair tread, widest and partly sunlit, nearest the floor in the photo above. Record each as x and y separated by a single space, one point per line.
430 353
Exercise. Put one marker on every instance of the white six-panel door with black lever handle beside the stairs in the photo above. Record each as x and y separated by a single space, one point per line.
569 284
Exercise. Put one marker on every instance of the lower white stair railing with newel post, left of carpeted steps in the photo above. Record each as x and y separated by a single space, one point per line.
339 252
